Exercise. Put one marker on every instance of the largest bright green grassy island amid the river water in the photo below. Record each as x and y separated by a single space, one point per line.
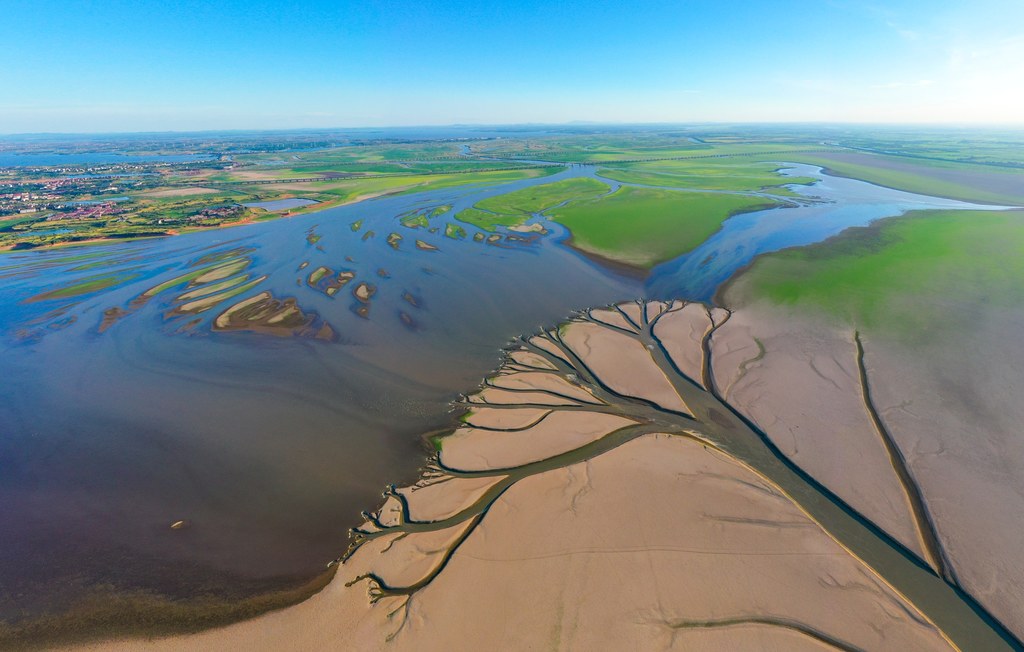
642 228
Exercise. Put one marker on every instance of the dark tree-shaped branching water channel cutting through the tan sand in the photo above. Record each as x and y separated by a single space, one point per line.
558 375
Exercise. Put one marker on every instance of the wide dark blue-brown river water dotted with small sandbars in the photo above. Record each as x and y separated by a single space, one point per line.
129 407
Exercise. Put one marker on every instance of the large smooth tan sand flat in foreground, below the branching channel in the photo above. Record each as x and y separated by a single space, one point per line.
617 553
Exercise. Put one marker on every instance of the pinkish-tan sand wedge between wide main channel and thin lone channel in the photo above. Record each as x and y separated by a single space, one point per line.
804 395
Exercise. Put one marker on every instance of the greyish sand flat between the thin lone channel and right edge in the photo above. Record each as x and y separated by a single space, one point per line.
959 420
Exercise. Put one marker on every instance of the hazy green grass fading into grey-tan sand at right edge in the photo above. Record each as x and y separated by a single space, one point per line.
900 275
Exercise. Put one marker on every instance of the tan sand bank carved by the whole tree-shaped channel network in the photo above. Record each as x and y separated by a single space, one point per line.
533 447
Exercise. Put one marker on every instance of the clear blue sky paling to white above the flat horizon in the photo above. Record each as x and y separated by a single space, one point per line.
126 66
